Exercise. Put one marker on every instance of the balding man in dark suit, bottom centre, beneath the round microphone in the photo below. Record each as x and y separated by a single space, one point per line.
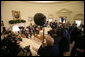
50 49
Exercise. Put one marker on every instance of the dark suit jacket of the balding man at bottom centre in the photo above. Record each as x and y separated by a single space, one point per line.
48 51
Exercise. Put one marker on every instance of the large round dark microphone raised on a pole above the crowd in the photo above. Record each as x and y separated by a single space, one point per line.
40 19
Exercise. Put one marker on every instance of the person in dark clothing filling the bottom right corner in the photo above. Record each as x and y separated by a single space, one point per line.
78 49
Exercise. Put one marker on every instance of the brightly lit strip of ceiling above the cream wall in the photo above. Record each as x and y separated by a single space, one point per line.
49 2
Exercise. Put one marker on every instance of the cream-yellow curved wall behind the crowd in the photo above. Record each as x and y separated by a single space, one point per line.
29 10
